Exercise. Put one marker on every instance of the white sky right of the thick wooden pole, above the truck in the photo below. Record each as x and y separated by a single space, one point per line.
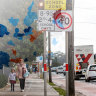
85 23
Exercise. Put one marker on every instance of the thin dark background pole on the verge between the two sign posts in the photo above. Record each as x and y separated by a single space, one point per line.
49 56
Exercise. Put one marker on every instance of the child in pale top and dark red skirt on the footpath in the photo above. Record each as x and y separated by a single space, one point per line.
12 78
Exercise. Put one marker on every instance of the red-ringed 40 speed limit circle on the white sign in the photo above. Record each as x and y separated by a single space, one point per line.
64 21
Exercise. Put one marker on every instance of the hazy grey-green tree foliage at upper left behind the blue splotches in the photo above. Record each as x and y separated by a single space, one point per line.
24 48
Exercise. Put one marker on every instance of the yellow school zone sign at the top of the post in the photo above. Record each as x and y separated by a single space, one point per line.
54 4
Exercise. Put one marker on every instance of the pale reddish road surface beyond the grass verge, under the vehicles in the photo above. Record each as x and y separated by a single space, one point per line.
84 88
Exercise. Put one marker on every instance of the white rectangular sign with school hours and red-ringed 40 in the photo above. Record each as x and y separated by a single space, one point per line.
61 22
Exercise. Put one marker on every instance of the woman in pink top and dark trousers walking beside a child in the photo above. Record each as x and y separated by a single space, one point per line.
21 69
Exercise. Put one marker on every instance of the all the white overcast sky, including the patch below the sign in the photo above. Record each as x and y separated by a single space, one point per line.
84 26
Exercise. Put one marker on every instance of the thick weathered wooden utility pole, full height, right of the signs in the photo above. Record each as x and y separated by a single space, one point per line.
71 56
